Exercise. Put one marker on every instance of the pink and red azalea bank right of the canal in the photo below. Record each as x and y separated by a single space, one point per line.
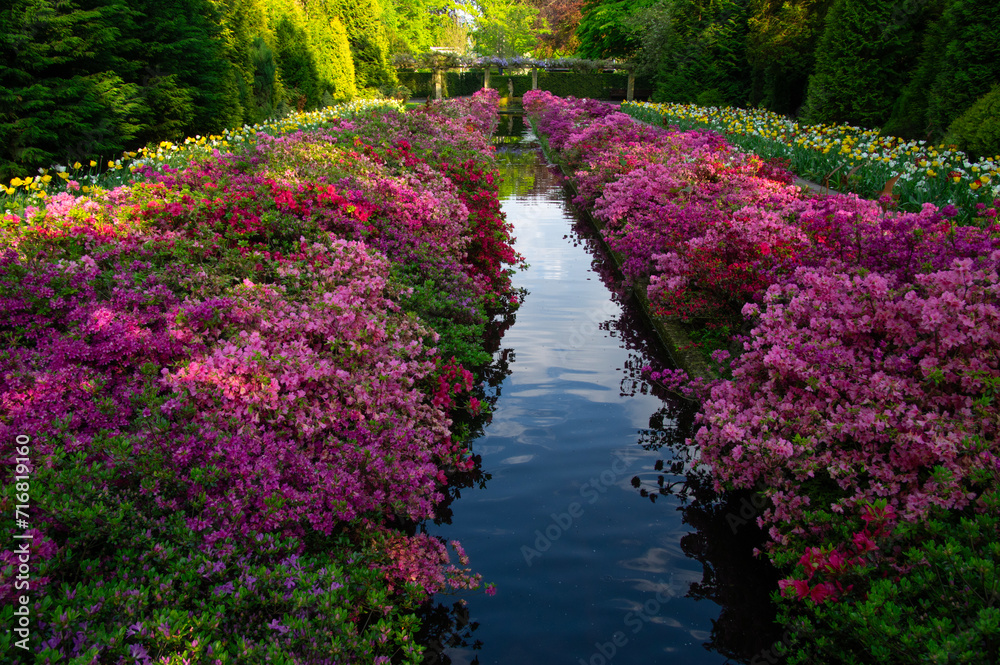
865 390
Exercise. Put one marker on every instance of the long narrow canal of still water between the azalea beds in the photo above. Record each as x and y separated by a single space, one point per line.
588 567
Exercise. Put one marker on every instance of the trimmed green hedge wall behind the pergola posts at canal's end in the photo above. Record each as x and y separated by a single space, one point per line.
564 84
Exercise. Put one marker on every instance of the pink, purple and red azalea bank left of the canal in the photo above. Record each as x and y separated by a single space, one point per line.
236 397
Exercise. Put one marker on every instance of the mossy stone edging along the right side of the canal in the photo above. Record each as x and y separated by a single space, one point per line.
672 335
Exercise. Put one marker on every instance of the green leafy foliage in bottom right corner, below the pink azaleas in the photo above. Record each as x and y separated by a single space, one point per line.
946 609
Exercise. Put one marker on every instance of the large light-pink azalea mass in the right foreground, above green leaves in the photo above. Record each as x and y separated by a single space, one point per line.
913 431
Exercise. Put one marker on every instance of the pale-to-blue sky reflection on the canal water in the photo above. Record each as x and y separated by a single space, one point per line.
563 440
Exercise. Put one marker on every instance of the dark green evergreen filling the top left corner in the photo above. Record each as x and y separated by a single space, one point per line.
57 102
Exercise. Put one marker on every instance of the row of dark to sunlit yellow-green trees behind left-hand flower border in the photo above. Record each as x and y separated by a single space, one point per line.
93 78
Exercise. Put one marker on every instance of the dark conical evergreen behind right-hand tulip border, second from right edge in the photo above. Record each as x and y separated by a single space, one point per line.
863 61
